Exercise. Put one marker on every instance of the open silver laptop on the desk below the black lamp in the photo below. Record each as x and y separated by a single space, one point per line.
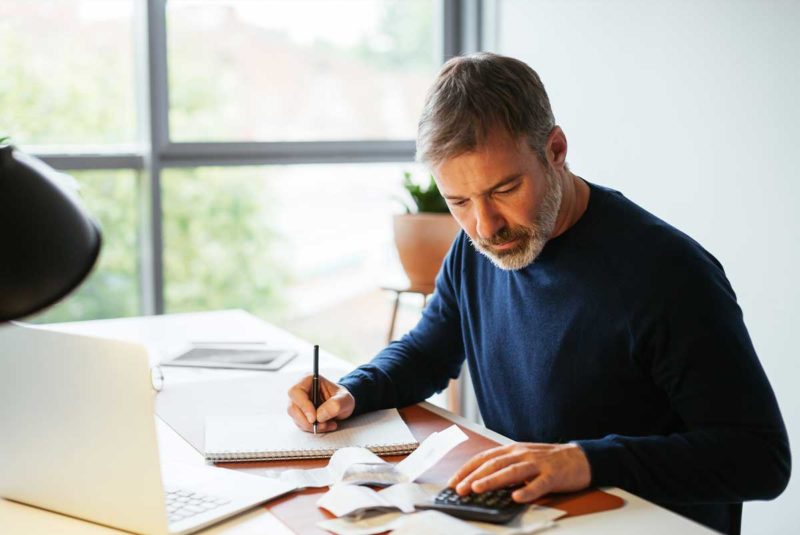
79 438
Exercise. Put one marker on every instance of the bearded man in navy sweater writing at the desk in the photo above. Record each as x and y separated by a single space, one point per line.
608 343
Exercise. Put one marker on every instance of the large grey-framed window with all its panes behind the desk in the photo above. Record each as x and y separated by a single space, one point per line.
264 141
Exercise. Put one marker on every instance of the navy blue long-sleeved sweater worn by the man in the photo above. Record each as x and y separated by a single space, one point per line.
624 336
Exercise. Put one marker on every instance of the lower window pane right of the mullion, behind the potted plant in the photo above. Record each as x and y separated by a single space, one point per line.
305 246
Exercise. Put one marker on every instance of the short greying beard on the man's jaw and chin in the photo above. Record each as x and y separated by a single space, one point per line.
533 238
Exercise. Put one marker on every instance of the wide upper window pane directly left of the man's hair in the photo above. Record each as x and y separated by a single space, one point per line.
298 70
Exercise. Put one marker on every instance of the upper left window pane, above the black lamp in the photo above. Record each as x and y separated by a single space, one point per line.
67 72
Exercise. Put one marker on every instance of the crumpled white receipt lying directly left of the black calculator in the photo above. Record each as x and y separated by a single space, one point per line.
343 500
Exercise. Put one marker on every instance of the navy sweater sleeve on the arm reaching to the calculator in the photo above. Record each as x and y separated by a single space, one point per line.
732 445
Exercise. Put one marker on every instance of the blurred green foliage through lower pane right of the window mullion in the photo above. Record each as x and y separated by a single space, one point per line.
219 245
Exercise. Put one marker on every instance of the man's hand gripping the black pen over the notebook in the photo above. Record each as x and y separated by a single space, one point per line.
337 404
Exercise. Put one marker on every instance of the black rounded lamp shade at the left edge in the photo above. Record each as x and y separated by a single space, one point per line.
48 243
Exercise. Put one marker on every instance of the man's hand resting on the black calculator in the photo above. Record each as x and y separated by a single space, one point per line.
542 468
